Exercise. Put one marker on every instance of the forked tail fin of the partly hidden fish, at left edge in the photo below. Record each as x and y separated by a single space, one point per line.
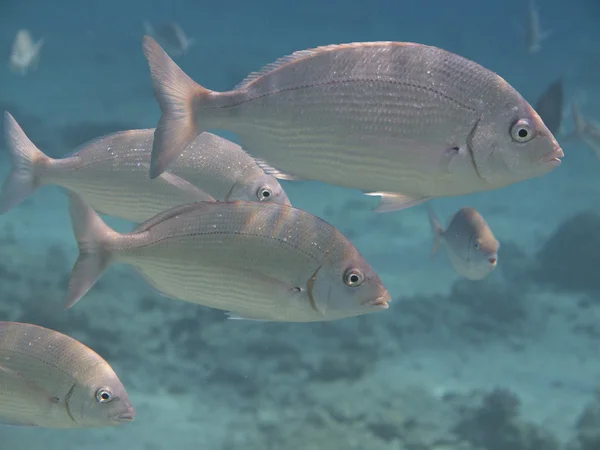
22 180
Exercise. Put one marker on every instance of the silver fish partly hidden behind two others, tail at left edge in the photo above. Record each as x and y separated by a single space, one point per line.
111 173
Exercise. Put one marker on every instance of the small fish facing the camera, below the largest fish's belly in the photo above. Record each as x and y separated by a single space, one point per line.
472 247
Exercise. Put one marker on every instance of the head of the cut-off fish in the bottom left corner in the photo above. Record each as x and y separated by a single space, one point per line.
101 400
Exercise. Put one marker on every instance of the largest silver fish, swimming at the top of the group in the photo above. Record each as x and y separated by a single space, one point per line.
404 121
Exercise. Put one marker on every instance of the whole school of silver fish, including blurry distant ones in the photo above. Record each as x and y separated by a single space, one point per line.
405 122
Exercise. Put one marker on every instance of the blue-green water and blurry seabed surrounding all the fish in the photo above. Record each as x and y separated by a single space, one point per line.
507 363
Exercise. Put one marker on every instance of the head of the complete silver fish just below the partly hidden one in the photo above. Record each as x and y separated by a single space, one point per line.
348 286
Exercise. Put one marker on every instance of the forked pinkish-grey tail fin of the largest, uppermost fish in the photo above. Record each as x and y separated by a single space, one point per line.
176 94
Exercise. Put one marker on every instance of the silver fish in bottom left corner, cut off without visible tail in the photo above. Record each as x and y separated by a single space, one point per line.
48 379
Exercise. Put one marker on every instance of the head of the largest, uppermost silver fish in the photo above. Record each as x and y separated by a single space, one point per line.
510 142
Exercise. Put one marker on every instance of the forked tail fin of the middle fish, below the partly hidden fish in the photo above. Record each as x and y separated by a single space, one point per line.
92 236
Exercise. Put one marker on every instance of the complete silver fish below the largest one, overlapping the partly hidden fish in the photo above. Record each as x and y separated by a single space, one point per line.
259 261
